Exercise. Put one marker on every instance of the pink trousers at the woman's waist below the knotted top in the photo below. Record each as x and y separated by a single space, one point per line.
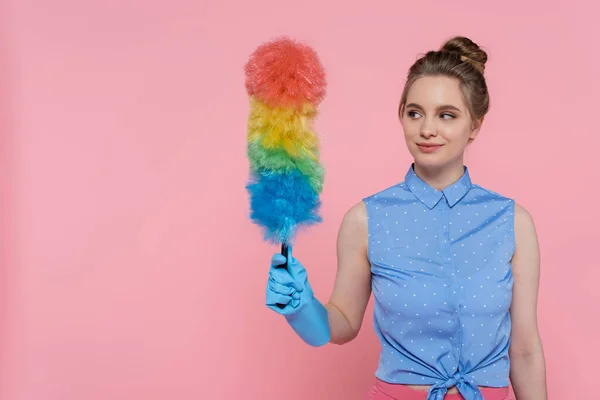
386 391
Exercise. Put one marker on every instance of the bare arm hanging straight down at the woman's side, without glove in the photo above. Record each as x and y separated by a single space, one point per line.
528 368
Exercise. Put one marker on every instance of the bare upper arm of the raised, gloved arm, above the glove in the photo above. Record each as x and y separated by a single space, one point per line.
352 289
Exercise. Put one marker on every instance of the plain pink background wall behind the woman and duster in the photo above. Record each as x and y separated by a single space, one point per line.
129 268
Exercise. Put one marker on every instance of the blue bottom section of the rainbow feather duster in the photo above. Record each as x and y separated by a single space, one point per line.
281 202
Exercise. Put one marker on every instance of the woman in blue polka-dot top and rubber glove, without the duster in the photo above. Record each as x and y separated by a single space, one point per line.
453 267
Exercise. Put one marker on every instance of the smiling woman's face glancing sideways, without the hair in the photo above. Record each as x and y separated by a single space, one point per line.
436 122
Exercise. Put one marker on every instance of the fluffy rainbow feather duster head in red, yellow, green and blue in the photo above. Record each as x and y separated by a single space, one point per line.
285 82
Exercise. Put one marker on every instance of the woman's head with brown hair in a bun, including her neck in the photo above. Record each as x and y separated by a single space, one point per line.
444 102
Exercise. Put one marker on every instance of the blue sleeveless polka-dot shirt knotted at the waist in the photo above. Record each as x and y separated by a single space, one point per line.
442 284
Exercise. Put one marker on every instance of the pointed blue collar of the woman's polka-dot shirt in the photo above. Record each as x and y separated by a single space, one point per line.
430 196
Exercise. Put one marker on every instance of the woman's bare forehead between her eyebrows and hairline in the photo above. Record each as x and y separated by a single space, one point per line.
431 91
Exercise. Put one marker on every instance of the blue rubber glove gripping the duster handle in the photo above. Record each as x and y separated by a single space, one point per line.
290 288
